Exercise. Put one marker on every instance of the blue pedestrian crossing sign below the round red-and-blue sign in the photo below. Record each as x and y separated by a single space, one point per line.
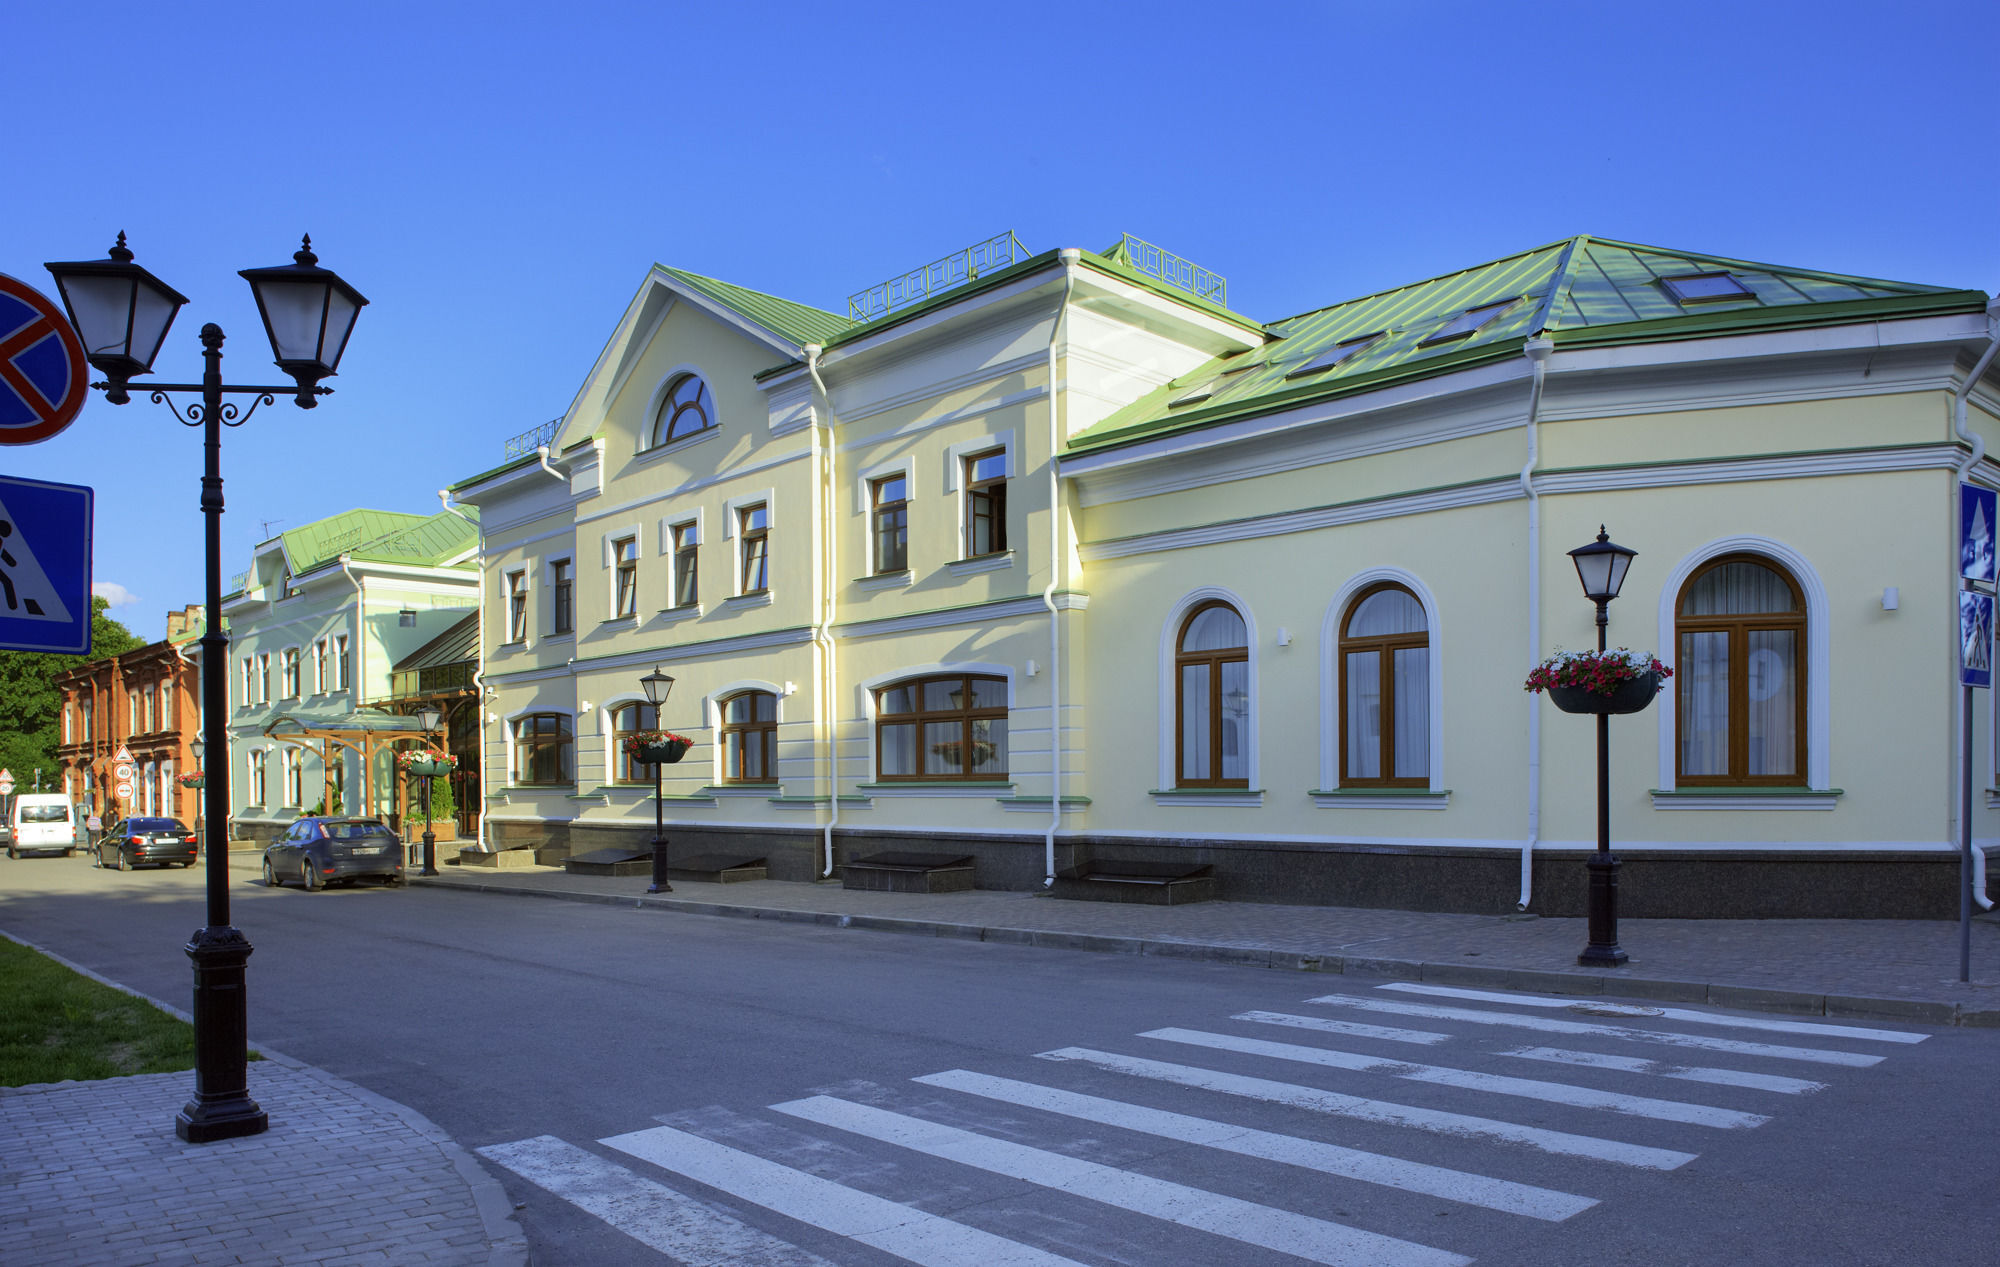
45 567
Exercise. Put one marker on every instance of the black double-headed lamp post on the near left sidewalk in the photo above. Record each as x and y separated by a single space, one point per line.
123 315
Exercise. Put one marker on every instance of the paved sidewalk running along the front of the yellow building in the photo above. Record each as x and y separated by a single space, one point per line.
1883 968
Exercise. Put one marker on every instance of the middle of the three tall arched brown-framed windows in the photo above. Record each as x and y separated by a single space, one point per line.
1385 692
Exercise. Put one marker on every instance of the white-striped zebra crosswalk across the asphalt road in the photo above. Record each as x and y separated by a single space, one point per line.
1215 1144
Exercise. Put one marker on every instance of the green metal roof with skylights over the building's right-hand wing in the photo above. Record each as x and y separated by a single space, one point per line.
1579 293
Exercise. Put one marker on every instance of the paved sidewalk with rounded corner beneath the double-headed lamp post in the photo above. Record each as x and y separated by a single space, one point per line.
95 1176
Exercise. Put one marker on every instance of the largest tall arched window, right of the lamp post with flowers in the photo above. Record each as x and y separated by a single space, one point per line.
1741 706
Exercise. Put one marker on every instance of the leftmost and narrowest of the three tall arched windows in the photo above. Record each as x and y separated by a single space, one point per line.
1213 698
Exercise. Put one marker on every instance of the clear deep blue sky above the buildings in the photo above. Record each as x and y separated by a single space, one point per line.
499 177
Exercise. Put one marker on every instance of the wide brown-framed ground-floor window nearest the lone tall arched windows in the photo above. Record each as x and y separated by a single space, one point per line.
943 728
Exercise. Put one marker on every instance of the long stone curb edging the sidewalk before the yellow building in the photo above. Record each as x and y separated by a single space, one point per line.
1743 998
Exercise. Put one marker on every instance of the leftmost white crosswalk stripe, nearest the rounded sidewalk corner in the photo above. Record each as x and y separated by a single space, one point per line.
651 1214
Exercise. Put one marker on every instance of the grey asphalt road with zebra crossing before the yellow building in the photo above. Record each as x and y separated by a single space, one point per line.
751 1066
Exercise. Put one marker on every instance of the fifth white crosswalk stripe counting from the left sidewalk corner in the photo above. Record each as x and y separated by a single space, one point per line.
1335 1104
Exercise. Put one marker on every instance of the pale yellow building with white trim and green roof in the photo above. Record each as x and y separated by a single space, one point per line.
1069 531
